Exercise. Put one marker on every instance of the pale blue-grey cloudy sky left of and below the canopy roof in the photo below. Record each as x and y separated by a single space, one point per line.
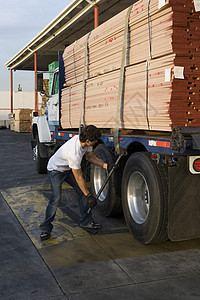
20 22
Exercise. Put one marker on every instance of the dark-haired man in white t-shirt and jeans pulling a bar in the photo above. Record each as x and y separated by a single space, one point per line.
65 165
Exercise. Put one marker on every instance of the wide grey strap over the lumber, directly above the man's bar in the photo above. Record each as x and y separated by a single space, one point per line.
121 81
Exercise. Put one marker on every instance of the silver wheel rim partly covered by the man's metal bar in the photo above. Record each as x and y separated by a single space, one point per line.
99 178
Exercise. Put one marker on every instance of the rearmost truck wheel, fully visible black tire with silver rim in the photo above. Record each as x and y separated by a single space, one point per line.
144 198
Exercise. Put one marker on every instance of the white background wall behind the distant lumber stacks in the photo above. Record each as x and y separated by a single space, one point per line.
20 100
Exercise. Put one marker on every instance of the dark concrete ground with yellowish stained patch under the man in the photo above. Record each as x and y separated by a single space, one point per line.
75 264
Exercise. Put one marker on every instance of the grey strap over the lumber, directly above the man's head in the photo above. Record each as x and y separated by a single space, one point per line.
82 111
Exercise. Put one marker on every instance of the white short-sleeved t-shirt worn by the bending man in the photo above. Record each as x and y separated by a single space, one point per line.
68 156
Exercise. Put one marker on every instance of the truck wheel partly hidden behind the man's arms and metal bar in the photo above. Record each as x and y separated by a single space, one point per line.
109 202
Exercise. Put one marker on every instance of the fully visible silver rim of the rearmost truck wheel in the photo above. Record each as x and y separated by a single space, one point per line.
138 197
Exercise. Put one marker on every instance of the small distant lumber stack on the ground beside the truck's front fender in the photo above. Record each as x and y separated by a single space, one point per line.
23 120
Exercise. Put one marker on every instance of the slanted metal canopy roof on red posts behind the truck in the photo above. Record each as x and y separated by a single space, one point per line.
73 22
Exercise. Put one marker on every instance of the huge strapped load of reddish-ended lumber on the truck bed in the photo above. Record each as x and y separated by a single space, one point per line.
161 84
